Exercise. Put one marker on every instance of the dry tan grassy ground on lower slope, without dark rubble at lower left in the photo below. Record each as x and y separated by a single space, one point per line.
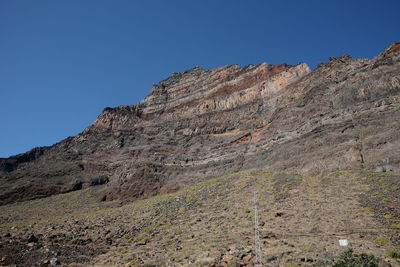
302 217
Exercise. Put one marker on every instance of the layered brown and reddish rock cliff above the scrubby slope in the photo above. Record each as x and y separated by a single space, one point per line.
202 123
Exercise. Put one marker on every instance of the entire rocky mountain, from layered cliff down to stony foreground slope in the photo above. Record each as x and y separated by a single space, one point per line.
320 147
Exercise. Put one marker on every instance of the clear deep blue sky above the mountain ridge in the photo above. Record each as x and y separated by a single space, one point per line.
62 62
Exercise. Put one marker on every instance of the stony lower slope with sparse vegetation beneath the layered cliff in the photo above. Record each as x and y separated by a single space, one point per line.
302 218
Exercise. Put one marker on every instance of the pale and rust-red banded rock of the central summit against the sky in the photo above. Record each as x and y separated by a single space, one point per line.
197 86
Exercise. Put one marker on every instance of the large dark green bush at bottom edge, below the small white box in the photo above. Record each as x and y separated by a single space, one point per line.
349 259
